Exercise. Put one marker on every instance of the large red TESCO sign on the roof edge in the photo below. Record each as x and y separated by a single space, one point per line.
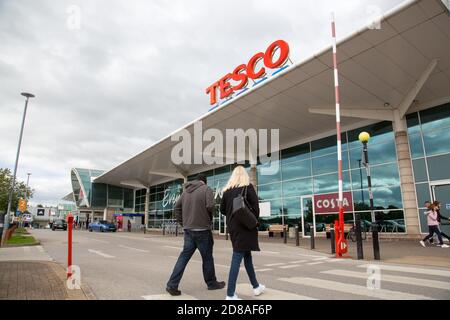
256 68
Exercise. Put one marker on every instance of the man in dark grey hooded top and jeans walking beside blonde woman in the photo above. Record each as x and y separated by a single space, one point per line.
194 211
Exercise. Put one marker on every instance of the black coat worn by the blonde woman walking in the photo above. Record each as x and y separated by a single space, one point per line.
242 238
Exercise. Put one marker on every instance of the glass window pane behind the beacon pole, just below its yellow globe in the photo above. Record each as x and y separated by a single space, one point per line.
378 153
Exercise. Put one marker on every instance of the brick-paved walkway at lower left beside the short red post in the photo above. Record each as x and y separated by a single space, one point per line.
28 273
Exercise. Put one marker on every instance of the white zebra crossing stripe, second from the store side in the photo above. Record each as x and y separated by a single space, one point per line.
396 279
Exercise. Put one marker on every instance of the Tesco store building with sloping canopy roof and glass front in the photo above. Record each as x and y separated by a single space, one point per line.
394 84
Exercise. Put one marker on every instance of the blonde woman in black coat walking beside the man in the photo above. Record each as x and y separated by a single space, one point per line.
243 240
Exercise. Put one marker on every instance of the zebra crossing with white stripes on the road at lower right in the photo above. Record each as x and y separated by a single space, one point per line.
341 281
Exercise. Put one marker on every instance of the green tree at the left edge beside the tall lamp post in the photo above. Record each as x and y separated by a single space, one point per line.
20 190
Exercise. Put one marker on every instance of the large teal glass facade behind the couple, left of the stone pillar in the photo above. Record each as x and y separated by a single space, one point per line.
306 170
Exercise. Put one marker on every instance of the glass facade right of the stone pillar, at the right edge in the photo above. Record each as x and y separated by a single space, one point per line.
429 141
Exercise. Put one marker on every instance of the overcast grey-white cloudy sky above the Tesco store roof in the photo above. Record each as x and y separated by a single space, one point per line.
113 77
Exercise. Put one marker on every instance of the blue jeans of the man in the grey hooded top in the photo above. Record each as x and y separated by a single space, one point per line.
203 241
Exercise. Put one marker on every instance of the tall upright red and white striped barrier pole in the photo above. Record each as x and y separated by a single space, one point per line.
341 244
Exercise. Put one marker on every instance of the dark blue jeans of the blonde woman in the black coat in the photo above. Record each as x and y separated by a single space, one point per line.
234 270
